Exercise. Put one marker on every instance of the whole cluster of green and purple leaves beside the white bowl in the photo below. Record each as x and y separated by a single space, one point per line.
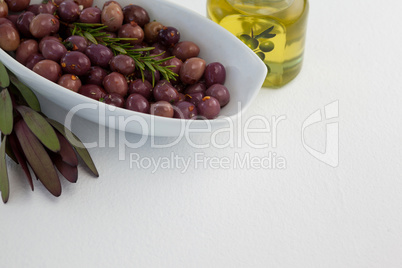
34 143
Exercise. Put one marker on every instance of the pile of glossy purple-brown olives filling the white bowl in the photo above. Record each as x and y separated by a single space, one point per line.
40 37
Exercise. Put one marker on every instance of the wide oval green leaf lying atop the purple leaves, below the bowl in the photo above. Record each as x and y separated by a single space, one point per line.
40 127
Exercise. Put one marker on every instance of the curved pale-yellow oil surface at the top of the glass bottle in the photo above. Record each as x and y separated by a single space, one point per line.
260 7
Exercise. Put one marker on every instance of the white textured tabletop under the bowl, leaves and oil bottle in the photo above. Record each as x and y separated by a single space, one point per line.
307 215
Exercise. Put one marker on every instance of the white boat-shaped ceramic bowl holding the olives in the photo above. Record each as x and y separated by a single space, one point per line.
245 74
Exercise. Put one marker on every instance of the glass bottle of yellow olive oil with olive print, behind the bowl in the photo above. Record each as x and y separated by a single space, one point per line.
274 29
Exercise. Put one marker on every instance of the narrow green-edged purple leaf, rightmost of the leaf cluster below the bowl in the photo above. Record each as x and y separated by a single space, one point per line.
77 144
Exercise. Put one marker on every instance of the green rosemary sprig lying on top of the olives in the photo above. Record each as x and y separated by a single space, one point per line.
95 34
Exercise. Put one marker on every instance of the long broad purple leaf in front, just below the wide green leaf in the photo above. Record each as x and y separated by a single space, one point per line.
38 158
